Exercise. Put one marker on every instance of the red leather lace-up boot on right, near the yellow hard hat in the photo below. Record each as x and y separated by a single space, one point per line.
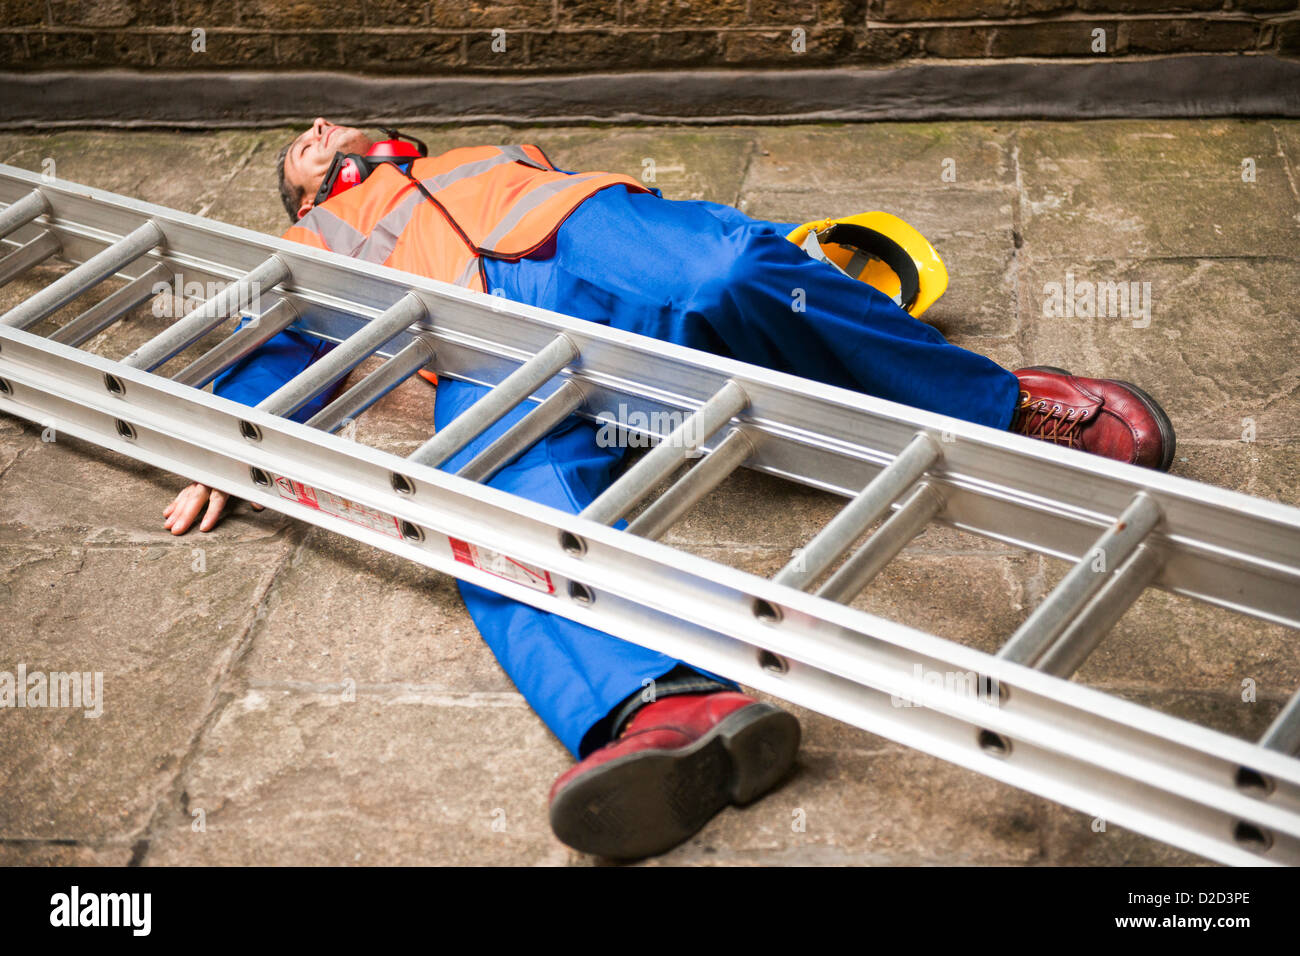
1115 419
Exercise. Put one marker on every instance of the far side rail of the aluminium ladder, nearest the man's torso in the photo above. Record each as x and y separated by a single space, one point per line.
1224 548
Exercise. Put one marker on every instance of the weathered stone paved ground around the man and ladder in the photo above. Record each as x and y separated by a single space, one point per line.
324 704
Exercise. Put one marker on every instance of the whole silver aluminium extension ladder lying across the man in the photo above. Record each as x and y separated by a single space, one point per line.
1124 529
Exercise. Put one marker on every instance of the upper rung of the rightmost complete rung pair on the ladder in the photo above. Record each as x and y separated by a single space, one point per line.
1082 582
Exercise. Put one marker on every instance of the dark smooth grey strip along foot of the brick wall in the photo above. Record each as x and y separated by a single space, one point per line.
1190 86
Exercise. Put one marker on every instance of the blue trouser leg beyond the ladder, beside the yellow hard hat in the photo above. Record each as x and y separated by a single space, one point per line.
710 278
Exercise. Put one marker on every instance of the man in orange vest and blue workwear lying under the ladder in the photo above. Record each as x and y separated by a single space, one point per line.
655 768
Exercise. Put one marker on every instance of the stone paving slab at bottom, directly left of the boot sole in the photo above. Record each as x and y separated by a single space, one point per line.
291 777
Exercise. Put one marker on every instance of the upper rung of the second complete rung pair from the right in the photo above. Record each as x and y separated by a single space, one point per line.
860 514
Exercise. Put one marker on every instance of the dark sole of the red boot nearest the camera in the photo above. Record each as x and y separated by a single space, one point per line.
648 803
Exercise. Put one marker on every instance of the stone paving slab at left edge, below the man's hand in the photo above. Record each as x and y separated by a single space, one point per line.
159 633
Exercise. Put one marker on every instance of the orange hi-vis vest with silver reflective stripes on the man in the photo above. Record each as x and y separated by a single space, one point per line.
497 201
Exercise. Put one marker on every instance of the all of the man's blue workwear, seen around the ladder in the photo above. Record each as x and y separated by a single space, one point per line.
695 274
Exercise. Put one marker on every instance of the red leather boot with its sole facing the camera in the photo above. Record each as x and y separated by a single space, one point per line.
678 763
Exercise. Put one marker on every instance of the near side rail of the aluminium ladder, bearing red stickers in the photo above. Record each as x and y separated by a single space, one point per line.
1182 772
